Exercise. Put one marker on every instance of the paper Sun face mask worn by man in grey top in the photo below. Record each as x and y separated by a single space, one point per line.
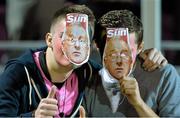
117 56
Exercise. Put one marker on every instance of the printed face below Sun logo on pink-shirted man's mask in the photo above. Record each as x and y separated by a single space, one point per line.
76 44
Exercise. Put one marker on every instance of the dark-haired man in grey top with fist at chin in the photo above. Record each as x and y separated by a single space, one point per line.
115 91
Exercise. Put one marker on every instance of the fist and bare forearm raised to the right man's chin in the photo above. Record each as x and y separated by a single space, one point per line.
129 87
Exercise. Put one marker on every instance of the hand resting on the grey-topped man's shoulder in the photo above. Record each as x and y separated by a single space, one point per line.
153 59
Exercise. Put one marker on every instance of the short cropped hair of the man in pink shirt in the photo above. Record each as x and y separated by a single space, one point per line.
61 14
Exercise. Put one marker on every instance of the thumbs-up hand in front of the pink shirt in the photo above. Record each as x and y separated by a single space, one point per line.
48 106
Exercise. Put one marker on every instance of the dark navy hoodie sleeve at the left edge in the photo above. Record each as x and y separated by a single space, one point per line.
11 83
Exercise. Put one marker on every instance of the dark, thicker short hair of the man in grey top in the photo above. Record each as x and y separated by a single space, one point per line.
115 19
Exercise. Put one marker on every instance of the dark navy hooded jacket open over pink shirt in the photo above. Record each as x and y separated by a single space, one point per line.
18 96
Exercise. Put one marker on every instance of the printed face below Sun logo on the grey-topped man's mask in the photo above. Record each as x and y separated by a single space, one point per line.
117 58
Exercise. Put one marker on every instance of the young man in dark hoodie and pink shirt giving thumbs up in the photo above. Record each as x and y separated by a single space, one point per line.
27 83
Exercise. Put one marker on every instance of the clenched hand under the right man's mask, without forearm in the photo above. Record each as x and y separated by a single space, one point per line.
129 88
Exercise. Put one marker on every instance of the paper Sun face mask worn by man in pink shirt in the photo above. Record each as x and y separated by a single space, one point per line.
75 39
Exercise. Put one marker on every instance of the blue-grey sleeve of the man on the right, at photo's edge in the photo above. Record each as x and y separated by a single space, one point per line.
169 97
